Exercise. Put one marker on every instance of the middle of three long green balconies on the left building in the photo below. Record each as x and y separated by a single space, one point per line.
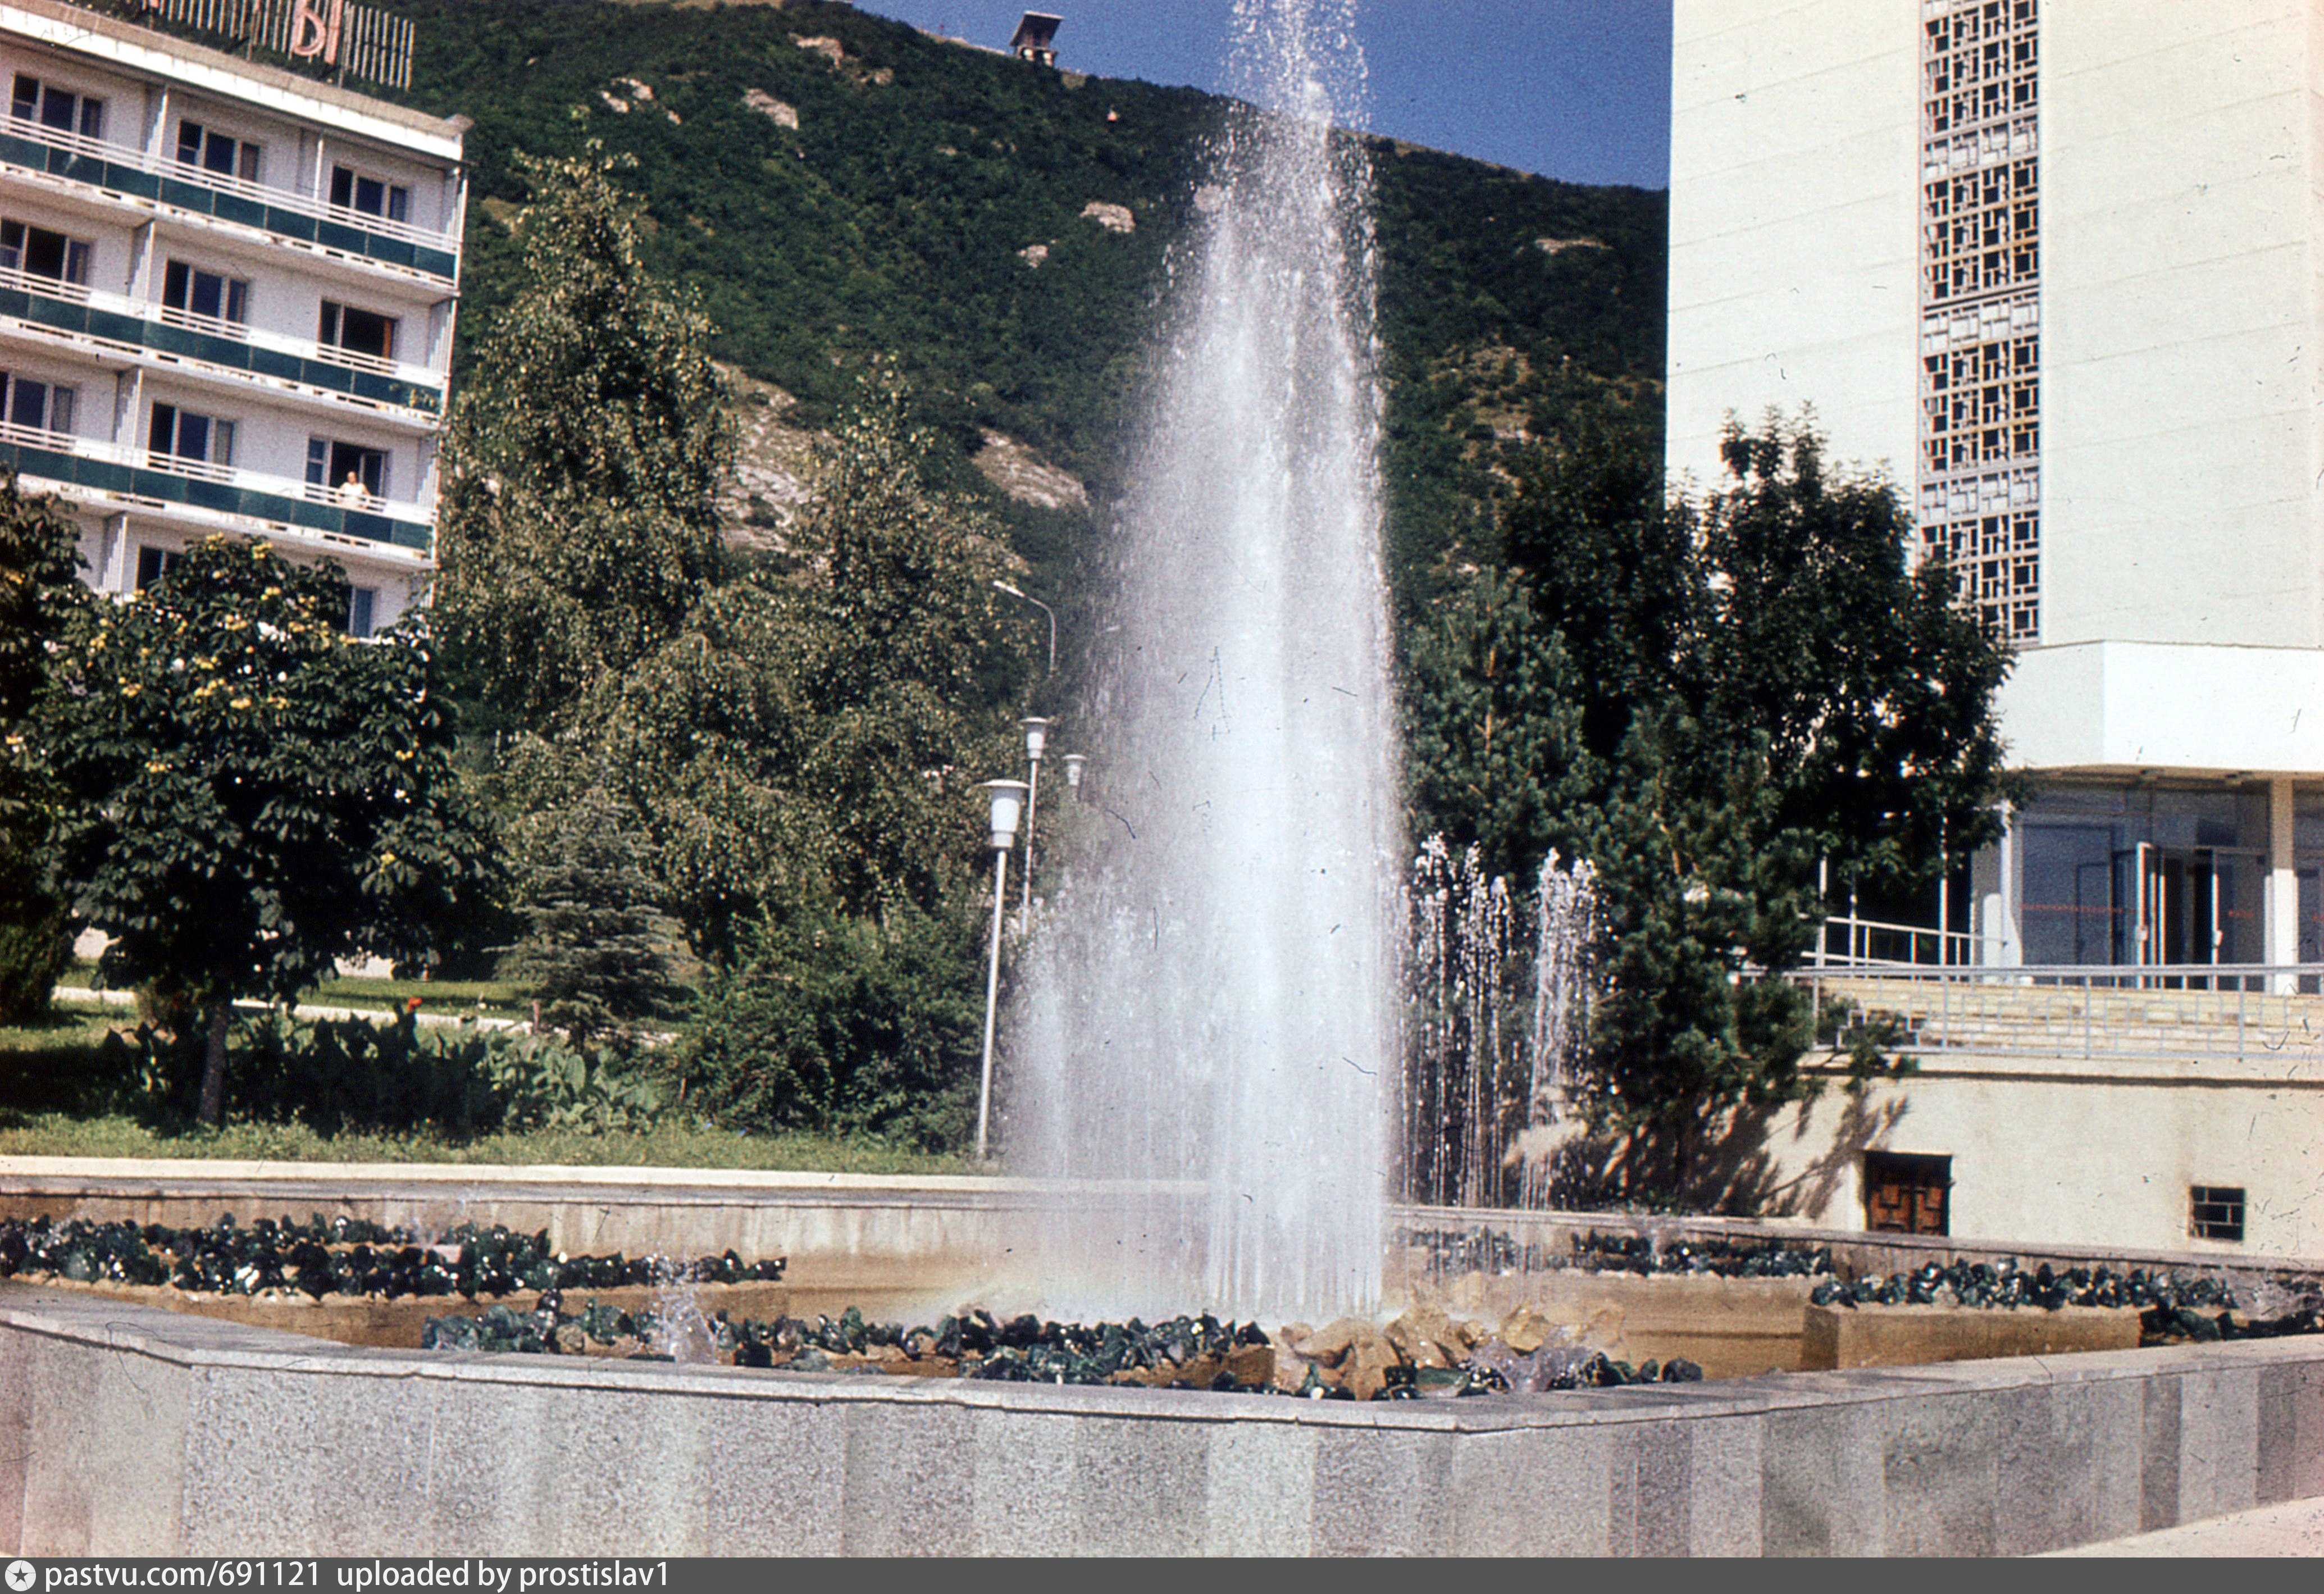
159 336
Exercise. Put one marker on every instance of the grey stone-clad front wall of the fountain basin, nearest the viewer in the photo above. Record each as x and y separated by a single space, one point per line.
138 1433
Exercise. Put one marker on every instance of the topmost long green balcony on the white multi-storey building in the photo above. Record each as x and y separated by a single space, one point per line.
145 182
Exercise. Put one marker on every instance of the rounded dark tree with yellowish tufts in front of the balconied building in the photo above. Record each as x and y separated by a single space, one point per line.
248 794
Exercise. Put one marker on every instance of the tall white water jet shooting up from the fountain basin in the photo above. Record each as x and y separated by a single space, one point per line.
1212 1014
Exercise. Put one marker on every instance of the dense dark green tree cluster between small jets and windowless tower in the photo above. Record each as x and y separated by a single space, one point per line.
1758 682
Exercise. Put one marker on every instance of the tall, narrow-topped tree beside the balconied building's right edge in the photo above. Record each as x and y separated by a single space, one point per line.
582 461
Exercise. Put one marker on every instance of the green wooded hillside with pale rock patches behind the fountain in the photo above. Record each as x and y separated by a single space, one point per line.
894 215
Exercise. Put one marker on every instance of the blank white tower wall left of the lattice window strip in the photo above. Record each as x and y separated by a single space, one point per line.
1795 224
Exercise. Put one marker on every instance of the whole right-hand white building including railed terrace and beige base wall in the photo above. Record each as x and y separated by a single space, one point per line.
2058 268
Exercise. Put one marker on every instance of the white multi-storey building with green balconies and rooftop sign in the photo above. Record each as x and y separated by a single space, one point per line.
227 299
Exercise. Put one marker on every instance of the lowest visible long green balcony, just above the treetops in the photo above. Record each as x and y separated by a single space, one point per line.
83 468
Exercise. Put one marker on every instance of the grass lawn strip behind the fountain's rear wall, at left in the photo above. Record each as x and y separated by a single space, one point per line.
62 1096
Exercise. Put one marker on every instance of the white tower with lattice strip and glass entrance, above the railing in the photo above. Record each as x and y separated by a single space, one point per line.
2060 271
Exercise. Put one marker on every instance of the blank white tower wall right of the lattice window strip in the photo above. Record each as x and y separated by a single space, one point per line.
2181 366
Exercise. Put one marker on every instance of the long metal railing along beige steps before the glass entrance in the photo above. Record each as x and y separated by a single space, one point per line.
2079 1012
